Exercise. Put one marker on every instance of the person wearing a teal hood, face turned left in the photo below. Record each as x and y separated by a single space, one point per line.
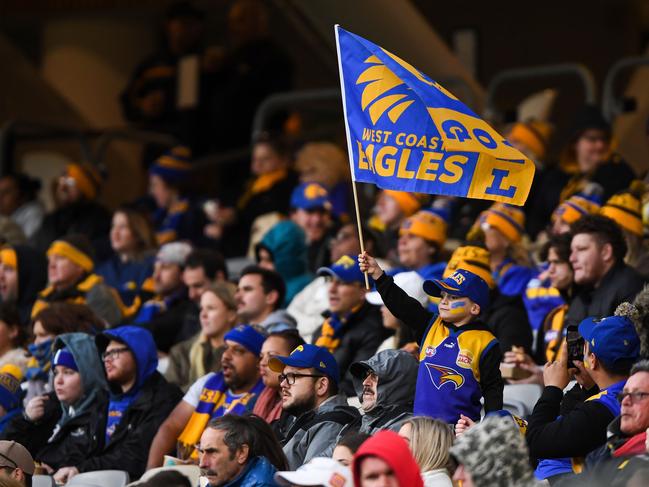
284 250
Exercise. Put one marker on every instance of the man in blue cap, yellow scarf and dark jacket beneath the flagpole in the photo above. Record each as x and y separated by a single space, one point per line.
353 328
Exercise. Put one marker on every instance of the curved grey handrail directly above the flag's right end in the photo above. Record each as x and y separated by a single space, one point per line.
578 70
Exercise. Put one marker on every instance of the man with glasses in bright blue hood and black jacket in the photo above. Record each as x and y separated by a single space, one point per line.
140 400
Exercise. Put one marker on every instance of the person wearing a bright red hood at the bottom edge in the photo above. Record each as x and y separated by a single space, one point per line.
386 455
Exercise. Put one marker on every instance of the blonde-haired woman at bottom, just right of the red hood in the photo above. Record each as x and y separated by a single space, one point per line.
429 440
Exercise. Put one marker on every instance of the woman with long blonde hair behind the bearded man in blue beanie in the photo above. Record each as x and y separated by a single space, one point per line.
193 358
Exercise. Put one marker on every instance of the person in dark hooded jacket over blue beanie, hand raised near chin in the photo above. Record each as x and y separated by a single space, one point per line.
63 427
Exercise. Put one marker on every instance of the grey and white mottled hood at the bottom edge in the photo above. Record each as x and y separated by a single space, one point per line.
495 454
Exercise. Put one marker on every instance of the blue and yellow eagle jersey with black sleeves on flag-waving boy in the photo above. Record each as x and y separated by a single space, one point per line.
458 365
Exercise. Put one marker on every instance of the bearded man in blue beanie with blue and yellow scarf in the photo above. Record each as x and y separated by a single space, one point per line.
231 391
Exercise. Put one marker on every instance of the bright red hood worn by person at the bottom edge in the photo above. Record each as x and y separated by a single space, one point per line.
393 450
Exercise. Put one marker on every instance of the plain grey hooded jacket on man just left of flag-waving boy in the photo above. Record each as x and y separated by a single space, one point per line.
397 373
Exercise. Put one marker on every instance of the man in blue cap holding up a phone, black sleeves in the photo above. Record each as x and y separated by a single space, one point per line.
561 431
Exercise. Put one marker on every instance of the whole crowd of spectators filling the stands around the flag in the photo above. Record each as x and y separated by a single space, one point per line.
134 339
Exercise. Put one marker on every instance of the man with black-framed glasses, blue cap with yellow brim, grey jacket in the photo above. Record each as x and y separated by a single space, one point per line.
309 384
